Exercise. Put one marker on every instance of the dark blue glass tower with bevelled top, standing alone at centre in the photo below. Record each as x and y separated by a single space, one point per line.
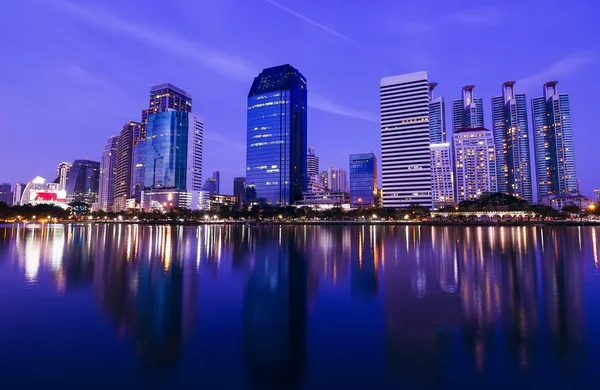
276 154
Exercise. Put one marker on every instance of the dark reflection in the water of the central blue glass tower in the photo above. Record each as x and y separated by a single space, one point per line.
275 300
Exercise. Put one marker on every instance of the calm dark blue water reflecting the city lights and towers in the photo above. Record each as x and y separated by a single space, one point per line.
311 307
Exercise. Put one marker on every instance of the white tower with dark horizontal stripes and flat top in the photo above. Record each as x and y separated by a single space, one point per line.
405 152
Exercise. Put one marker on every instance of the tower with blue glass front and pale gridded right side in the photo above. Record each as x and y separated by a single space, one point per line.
173 164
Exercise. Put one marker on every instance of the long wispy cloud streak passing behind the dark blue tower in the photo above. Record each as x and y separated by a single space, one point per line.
225 64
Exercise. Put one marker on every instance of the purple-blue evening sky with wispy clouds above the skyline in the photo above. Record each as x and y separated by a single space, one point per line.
73 72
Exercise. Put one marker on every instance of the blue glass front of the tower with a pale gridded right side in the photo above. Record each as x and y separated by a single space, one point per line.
165 149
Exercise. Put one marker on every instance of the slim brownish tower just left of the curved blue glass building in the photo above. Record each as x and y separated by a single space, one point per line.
124 165
